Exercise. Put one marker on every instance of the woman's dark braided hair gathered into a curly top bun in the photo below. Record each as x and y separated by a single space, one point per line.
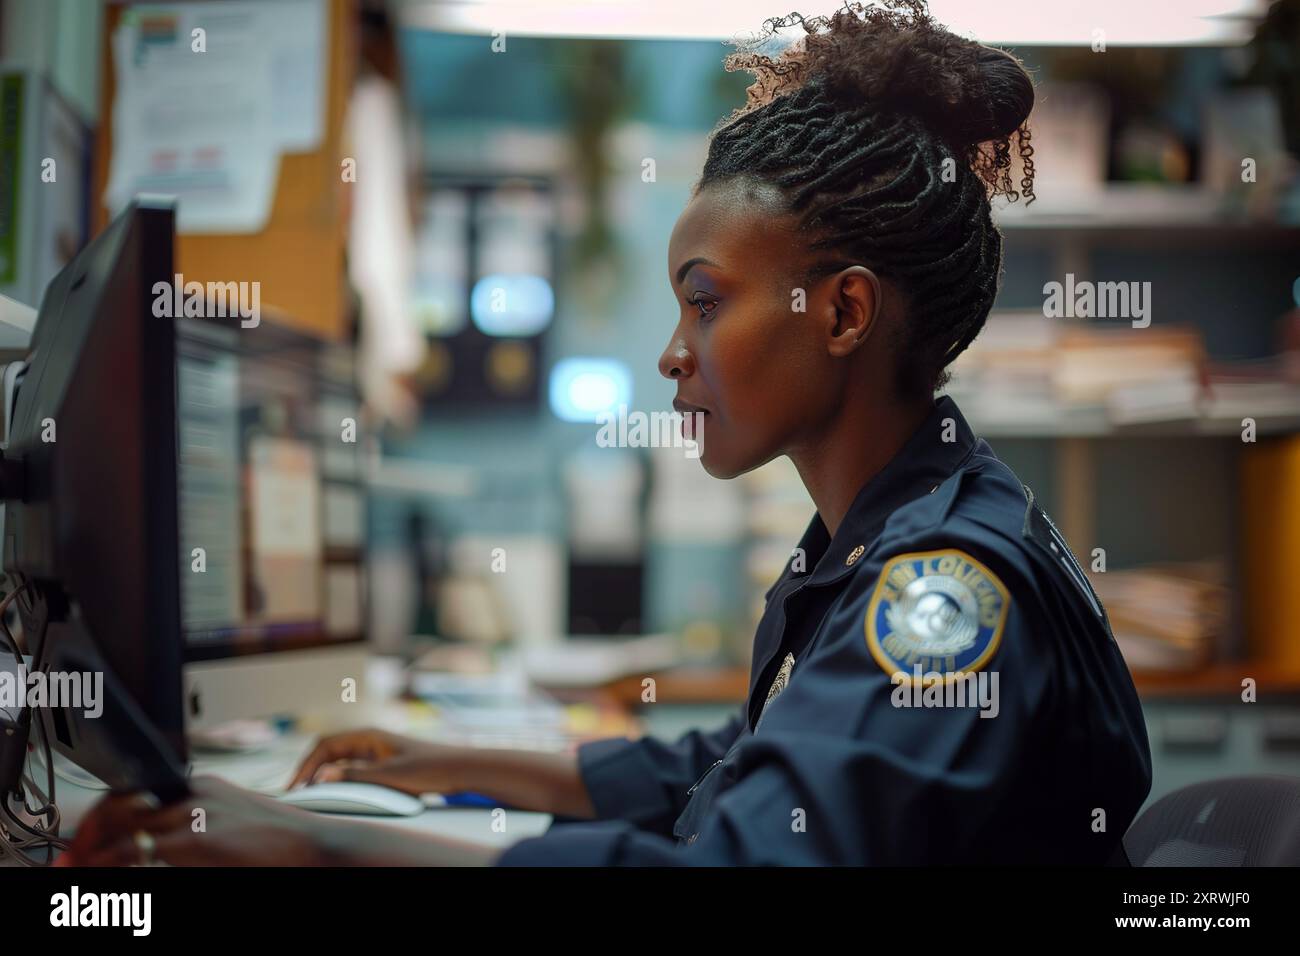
889 136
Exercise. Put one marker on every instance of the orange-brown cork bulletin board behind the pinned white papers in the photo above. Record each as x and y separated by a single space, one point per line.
300 256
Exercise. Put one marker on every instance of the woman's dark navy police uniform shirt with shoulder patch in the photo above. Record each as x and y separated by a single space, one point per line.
853 746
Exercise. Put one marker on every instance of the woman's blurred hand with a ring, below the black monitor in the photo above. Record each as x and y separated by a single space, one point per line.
237 828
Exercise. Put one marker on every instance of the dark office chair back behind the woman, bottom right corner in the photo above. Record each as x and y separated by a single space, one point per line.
1238 821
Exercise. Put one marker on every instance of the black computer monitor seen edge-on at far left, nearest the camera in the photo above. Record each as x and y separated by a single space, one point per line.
90 503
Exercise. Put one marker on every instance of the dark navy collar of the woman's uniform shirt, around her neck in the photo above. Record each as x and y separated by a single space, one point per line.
924 464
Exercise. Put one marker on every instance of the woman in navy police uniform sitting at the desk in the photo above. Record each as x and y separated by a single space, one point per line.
934 680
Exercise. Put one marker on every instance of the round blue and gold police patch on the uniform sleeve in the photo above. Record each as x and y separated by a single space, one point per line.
935 613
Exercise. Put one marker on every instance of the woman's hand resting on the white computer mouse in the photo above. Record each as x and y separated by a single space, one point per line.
391 760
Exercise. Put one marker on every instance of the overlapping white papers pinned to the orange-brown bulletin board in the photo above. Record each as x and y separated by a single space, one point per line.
209 97
